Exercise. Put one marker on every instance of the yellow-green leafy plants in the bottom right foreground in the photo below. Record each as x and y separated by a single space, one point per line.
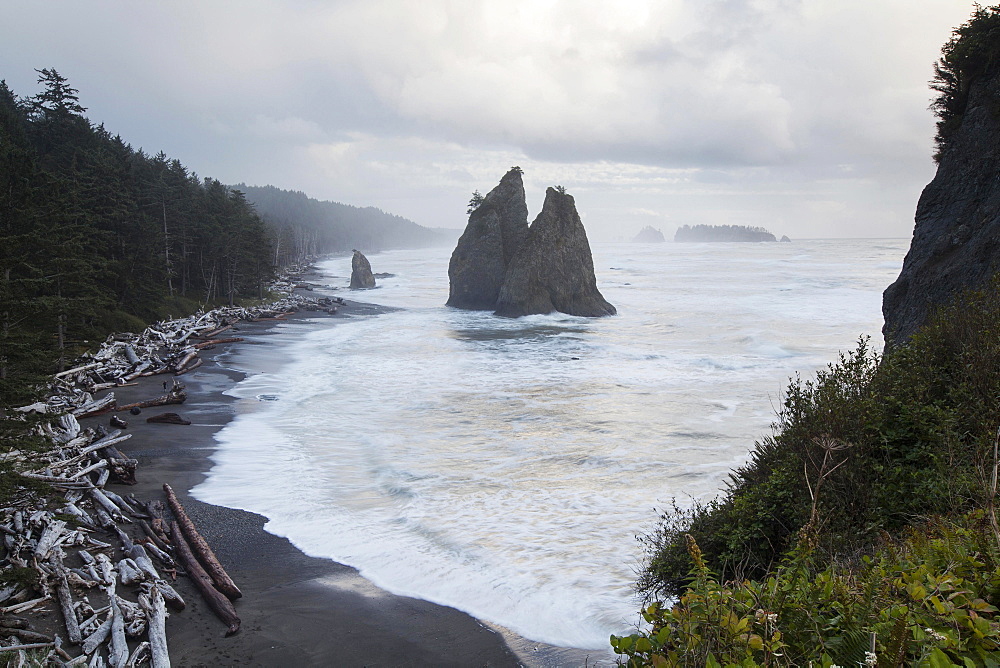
927 600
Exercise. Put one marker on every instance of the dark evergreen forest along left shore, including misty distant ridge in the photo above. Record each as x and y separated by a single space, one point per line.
97 236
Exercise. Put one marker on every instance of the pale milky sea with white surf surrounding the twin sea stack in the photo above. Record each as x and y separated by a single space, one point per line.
504 467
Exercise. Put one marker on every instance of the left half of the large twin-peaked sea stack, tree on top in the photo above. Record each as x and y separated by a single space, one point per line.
496 229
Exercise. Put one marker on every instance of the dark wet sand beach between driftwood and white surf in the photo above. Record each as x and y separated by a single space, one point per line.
296 610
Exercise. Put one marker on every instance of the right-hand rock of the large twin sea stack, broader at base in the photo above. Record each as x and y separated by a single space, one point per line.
554 269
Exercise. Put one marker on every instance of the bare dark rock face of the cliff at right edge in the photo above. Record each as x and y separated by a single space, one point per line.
956 240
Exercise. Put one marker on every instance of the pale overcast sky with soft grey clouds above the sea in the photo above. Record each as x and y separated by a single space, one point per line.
807 117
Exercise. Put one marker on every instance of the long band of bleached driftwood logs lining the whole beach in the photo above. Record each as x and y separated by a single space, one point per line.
103 560
